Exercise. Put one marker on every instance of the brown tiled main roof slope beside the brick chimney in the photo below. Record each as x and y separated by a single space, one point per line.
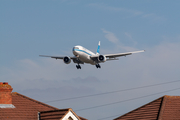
25 108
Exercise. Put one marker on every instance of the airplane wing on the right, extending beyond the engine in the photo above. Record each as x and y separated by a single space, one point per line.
121 54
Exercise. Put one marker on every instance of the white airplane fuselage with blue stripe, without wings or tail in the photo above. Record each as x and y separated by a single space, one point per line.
83 54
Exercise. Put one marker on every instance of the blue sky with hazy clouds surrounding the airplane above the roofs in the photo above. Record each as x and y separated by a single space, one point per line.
29 28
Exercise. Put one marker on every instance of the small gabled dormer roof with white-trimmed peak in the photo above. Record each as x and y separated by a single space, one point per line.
60 114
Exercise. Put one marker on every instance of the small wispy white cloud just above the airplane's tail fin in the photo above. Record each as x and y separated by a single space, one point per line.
110 36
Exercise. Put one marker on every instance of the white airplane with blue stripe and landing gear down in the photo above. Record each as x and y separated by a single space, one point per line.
83 55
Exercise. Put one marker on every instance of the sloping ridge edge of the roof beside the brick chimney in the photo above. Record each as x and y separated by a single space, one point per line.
16 93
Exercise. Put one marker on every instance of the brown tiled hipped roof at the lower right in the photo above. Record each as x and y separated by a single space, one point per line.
166 107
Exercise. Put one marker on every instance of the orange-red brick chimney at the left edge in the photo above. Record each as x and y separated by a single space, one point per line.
5 94
